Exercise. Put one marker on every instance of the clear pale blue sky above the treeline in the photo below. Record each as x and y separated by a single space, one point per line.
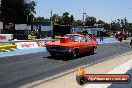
106 10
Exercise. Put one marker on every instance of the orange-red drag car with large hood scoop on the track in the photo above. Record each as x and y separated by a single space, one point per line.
72 45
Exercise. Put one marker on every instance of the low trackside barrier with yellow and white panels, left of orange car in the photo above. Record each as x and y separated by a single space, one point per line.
23 44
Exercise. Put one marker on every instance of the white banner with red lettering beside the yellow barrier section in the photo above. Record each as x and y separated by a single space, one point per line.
26 45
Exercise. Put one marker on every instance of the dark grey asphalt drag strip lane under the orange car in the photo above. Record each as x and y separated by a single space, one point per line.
21 70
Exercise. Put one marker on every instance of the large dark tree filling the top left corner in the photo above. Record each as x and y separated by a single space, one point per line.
17 11
